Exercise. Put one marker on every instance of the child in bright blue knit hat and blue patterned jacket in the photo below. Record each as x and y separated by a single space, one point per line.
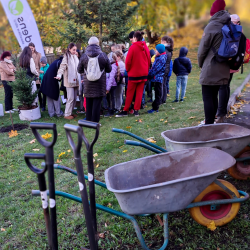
157 75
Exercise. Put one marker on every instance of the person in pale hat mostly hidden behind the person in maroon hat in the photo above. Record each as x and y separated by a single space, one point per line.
224 92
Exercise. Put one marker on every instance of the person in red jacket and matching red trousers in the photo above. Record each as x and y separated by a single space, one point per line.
137 65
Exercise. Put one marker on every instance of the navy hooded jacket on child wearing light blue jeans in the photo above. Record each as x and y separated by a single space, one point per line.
182 64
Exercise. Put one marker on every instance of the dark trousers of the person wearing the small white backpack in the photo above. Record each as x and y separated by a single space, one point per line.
93 106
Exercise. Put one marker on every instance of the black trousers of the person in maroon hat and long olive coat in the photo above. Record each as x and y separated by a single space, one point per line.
210 100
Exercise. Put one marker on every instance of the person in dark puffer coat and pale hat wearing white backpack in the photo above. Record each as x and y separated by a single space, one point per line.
94 65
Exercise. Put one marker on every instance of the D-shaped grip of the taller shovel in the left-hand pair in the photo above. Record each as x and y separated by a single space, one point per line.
38 125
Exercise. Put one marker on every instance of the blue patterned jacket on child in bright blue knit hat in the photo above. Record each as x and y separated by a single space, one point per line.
158 69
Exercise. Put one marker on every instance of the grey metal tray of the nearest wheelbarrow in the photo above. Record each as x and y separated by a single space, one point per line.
167 182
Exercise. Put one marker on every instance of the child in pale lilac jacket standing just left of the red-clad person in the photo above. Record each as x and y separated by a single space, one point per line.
111 84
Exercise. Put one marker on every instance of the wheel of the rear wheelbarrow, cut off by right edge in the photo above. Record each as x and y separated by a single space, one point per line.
240 171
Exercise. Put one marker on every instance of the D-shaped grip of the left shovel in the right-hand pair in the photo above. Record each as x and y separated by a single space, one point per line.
74 129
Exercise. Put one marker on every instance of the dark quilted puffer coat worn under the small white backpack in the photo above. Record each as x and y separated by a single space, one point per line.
97 88
